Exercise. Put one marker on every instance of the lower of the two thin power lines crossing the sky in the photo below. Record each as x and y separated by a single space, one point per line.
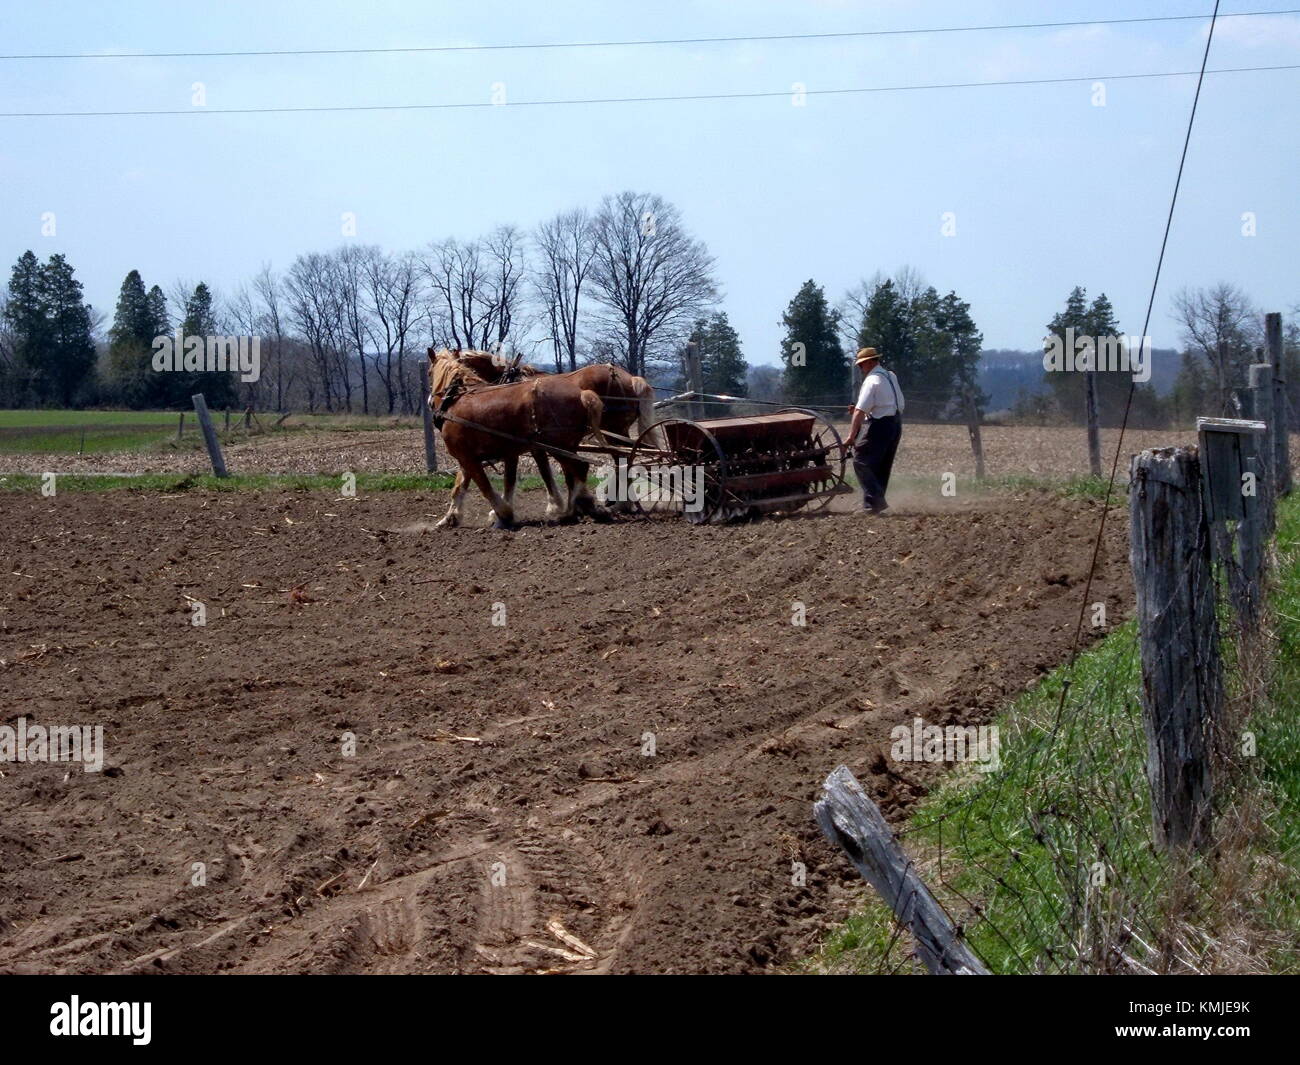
699 97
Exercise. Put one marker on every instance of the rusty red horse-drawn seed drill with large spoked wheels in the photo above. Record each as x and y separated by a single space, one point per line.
736 469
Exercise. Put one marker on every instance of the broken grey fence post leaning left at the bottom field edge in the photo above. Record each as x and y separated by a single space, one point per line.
852 821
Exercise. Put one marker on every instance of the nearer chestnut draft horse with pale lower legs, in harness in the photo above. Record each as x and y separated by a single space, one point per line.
499 423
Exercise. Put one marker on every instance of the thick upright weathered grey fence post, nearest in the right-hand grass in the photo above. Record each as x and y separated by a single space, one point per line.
1178 634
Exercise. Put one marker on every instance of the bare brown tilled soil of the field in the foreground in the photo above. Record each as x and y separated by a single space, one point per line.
500 813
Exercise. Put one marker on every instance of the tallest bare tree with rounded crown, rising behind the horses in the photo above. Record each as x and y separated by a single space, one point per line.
649 274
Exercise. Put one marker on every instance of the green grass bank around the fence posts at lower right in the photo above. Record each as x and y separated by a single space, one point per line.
1059 841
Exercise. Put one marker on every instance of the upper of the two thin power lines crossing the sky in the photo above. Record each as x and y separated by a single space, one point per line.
657 42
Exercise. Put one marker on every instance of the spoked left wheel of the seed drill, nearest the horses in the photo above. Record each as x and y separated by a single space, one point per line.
666 452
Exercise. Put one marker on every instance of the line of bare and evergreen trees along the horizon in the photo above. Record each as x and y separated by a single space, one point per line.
627 283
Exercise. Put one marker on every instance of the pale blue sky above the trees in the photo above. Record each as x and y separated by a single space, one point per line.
1048 191
